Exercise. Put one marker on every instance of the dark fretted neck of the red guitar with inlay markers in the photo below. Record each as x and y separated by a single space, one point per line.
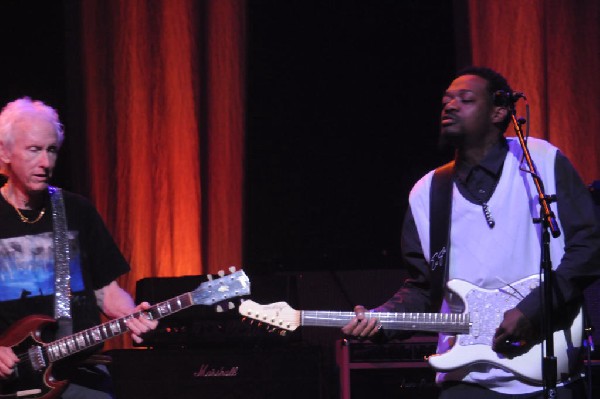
85 339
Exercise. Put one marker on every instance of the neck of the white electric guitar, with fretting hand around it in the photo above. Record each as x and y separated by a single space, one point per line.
430 322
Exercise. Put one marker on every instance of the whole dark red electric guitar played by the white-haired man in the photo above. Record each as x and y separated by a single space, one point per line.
33 375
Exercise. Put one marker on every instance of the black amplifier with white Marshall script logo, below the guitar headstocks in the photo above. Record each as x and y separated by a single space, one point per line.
292 371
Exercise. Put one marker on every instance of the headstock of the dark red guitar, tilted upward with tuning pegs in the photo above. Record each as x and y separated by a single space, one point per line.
225 287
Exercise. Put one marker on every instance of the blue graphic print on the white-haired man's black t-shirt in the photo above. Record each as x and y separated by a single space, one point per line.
27 266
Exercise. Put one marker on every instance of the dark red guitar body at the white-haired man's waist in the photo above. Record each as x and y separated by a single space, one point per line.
27 381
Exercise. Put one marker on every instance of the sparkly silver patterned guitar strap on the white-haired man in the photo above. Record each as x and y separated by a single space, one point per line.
62 274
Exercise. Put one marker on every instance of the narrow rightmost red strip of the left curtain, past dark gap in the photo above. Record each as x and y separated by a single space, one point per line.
225 118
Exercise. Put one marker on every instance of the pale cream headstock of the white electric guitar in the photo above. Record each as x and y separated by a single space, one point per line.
278 314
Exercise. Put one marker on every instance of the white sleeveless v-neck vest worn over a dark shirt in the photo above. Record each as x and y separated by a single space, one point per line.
494 257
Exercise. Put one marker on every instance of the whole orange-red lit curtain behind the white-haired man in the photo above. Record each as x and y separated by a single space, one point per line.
164 100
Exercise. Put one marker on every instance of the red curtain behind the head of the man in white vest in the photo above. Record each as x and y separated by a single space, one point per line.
549 49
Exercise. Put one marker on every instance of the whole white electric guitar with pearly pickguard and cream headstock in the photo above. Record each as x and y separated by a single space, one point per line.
474 328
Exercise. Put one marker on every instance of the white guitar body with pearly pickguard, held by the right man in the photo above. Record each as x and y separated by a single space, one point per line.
486 310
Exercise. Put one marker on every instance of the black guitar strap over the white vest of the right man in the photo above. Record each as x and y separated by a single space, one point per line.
440 206
